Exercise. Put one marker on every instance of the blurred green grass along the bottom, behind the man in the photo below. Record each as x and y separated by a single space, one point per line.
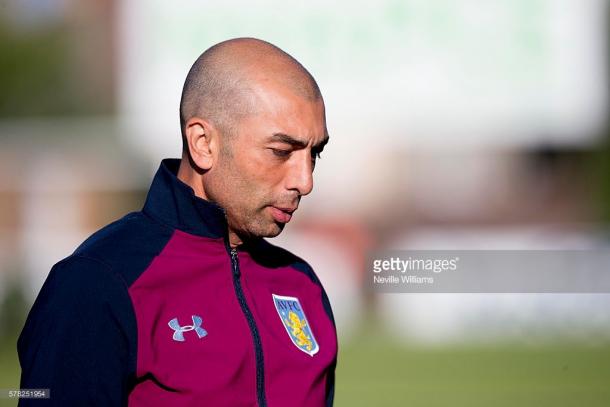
375 370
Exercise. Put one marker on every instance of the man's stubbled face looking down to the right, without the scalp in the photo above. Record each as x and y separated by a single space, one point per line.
269 164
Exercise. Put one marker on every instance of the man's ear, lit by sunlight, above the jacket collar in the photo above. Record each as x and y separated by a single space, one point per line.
202 142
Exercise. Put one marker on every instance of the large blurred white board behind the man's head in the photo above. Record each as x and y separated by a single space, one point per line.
394 73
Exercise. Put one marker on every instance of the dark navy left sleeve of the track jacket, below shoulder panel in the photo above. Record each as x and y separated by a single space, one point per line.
79 339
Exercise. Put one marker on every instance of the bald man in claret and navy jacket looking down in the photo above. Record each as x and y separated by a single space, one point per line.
184 303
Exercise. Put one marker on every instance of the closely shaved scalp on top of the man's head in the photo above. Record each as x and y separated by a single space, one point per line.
220 85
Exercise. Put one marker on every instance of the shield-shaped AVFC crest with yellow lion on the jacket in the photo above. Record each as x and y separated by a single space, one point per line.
294 320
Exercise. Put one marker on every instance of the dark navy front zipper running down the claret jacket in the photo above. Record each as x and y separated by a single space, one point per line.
258 348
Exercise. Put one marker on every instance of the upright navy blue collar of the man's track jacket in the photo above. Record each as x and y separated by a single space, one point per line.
174 203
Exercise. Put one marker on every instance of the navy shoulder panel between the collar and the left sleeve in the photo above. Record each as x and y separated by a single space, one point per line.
126 246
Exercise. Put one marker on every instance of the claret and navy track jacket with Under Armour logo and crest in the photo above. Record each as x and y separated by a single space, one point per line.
156 309
